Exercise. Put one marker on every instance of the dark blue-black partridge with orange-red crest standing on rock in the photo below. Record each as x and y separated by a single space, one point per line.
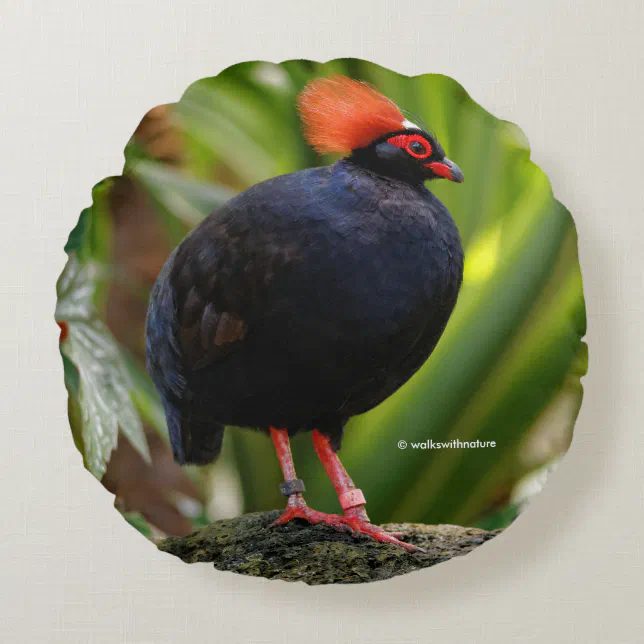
310 297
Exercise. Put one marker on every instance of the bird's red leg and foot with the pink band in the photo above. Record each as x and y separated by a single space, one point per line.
351 499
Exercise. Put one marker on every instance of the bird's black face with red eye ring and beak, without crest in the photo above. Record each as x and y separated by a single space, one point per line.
410 155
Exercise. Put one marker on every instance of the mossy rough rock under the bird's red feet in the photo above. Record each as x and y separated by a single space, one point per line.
318 554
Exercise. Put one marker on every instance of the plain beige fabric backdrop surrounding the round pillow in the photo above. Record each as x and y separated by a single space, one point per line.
75 80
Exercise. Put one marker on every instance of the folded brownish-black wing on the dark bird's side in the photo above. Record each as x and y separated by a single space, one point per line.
223 278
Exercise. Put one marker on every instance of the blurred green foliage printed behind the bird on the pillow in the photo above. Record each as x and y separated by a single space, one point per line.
507 369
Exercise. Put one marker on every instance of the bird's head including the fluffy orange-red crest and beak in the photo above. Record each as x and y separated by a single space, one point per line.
347 116
